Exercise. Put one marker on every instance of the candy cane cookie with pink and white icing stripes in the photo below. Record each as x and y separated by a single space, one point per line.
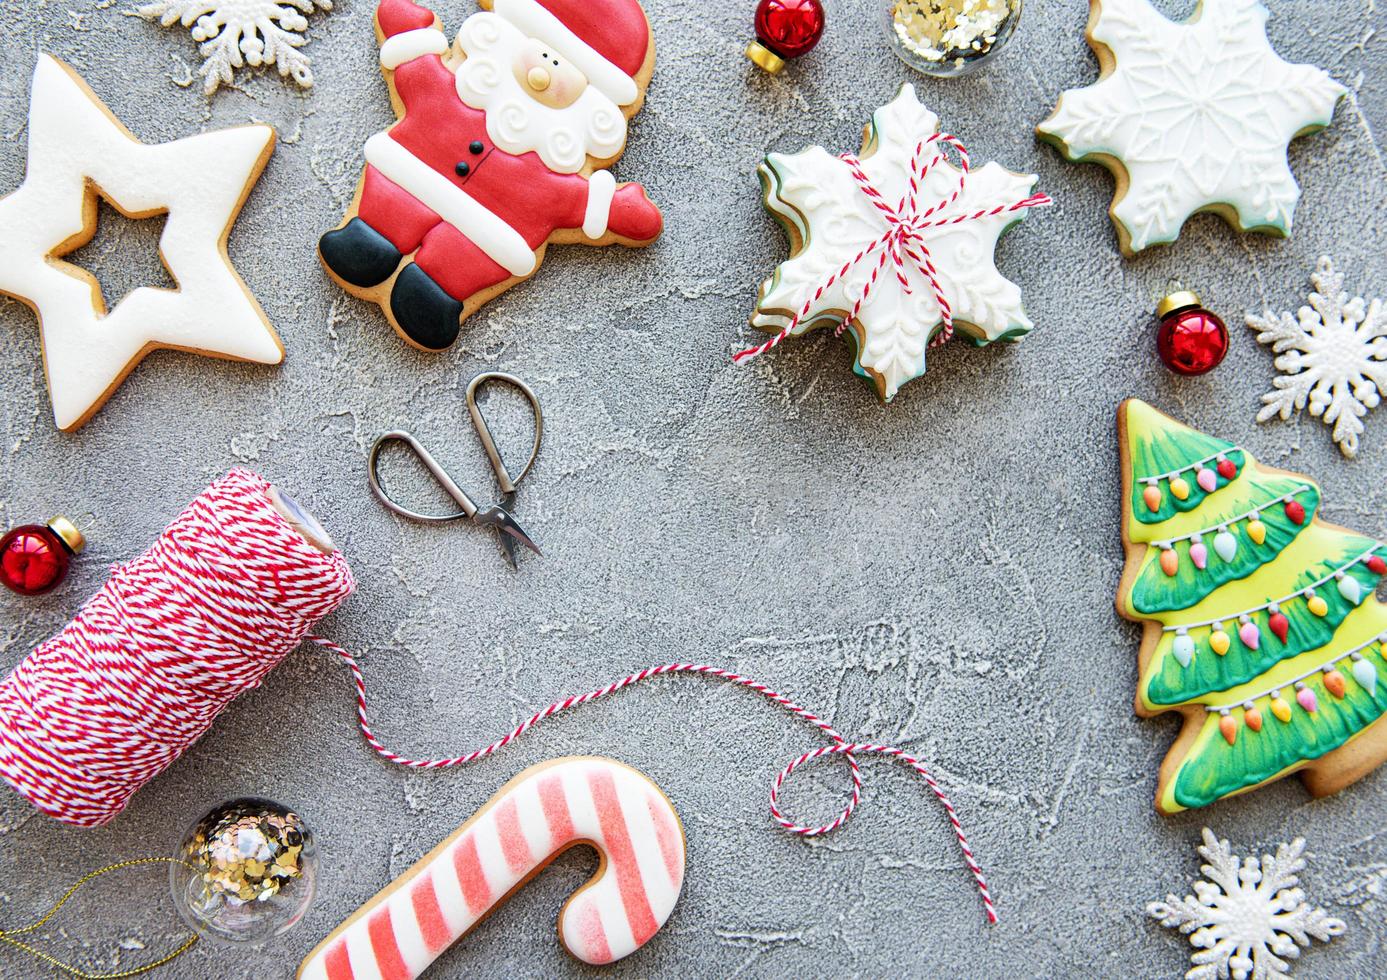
536 817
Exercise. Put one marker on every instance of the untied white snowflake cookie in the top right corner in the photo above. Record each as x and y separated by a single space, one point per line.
1192 117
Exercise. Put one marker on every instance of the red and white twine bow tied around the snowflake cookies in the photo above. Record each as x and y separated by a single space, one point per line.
902 240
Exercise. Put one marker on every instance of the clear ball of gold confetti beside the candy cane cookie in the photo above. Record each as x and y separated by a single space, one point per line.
245 873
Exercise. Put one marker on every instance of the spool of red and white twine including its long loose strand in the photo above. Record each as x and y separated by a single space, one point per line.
227 593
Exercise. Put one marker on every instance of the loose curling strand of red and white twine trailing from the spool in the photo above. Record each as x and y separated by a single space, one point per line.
841 746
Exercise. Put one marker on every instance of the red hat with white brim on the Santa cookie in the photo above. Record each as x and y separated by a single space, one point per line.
608 41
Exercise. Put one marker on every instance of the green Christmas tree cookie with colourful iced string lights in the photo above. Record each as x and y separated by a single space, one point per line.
1261 620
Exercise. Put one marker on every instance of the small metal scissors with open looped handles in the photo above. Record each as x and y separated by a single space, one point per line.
499 515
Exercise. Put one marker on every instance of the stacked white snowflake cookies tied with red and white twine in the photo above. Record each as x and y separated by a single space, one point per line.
894 246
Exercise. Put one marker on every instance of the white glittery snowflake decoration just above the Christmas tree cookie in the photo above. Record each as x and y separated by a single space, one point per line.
1334 356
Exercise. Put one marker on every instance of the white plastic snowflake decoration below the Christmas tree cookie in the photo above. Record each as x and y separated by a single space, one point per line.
1249 920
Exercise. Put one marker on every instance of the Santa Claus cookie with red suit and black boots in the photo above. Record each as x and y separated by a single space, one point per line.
501 149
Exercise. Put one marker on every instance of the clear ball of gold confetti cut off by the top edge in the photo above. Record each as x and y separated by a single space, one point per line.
948 38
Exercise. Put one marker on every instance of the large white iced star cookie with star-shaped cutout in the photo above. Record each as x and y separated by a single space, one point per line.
78 149
